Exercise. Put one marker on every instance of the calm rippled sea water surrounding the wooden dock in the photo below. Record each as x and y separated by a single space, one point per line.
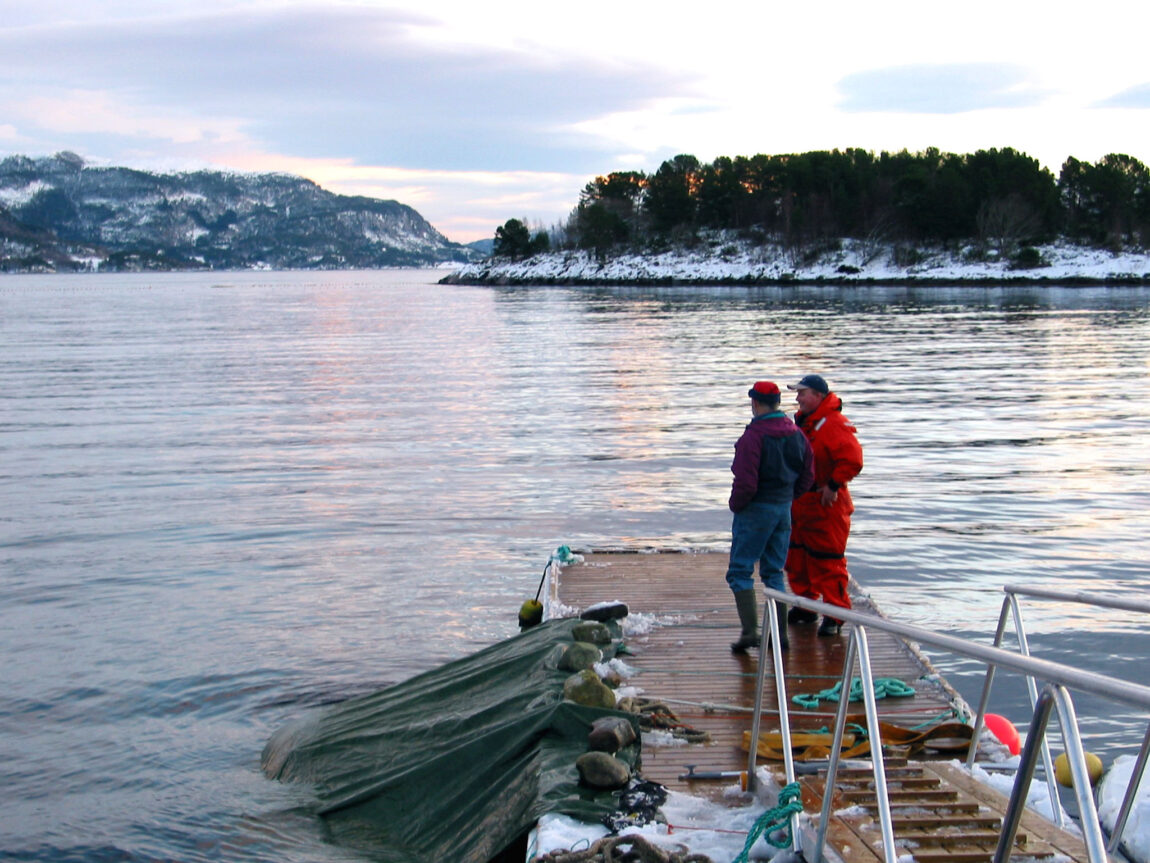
231 499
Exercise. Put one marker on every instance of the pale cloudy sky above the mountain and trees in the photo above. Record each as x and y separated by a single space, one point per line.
477 112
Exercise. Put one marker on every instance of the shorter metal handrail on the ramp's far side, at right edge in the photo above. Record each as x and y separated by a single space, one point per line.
1011 602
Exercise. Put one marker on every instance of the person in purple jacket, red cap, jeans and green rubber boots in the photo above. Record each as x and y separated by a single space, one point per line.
773 465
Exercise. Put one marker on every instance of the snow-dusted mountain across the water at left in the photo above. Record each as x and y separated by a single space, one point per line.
59 215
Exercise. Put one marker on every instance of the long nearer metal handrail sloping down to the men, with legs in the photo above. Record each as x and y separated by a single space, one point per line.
1056 675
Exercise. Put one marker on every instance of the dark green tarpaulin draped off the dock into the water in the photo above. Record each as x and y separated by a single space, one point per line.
454 765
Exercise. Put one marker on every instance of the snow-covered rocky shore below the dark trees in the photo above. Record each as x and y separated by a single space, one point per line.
732 262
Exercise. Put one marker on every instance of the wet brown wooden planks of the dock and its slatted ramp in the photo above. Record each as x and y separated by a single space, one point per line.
684 621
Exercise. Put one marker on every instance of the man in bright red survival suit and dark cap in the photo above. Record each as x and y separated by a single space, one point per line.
822 518
